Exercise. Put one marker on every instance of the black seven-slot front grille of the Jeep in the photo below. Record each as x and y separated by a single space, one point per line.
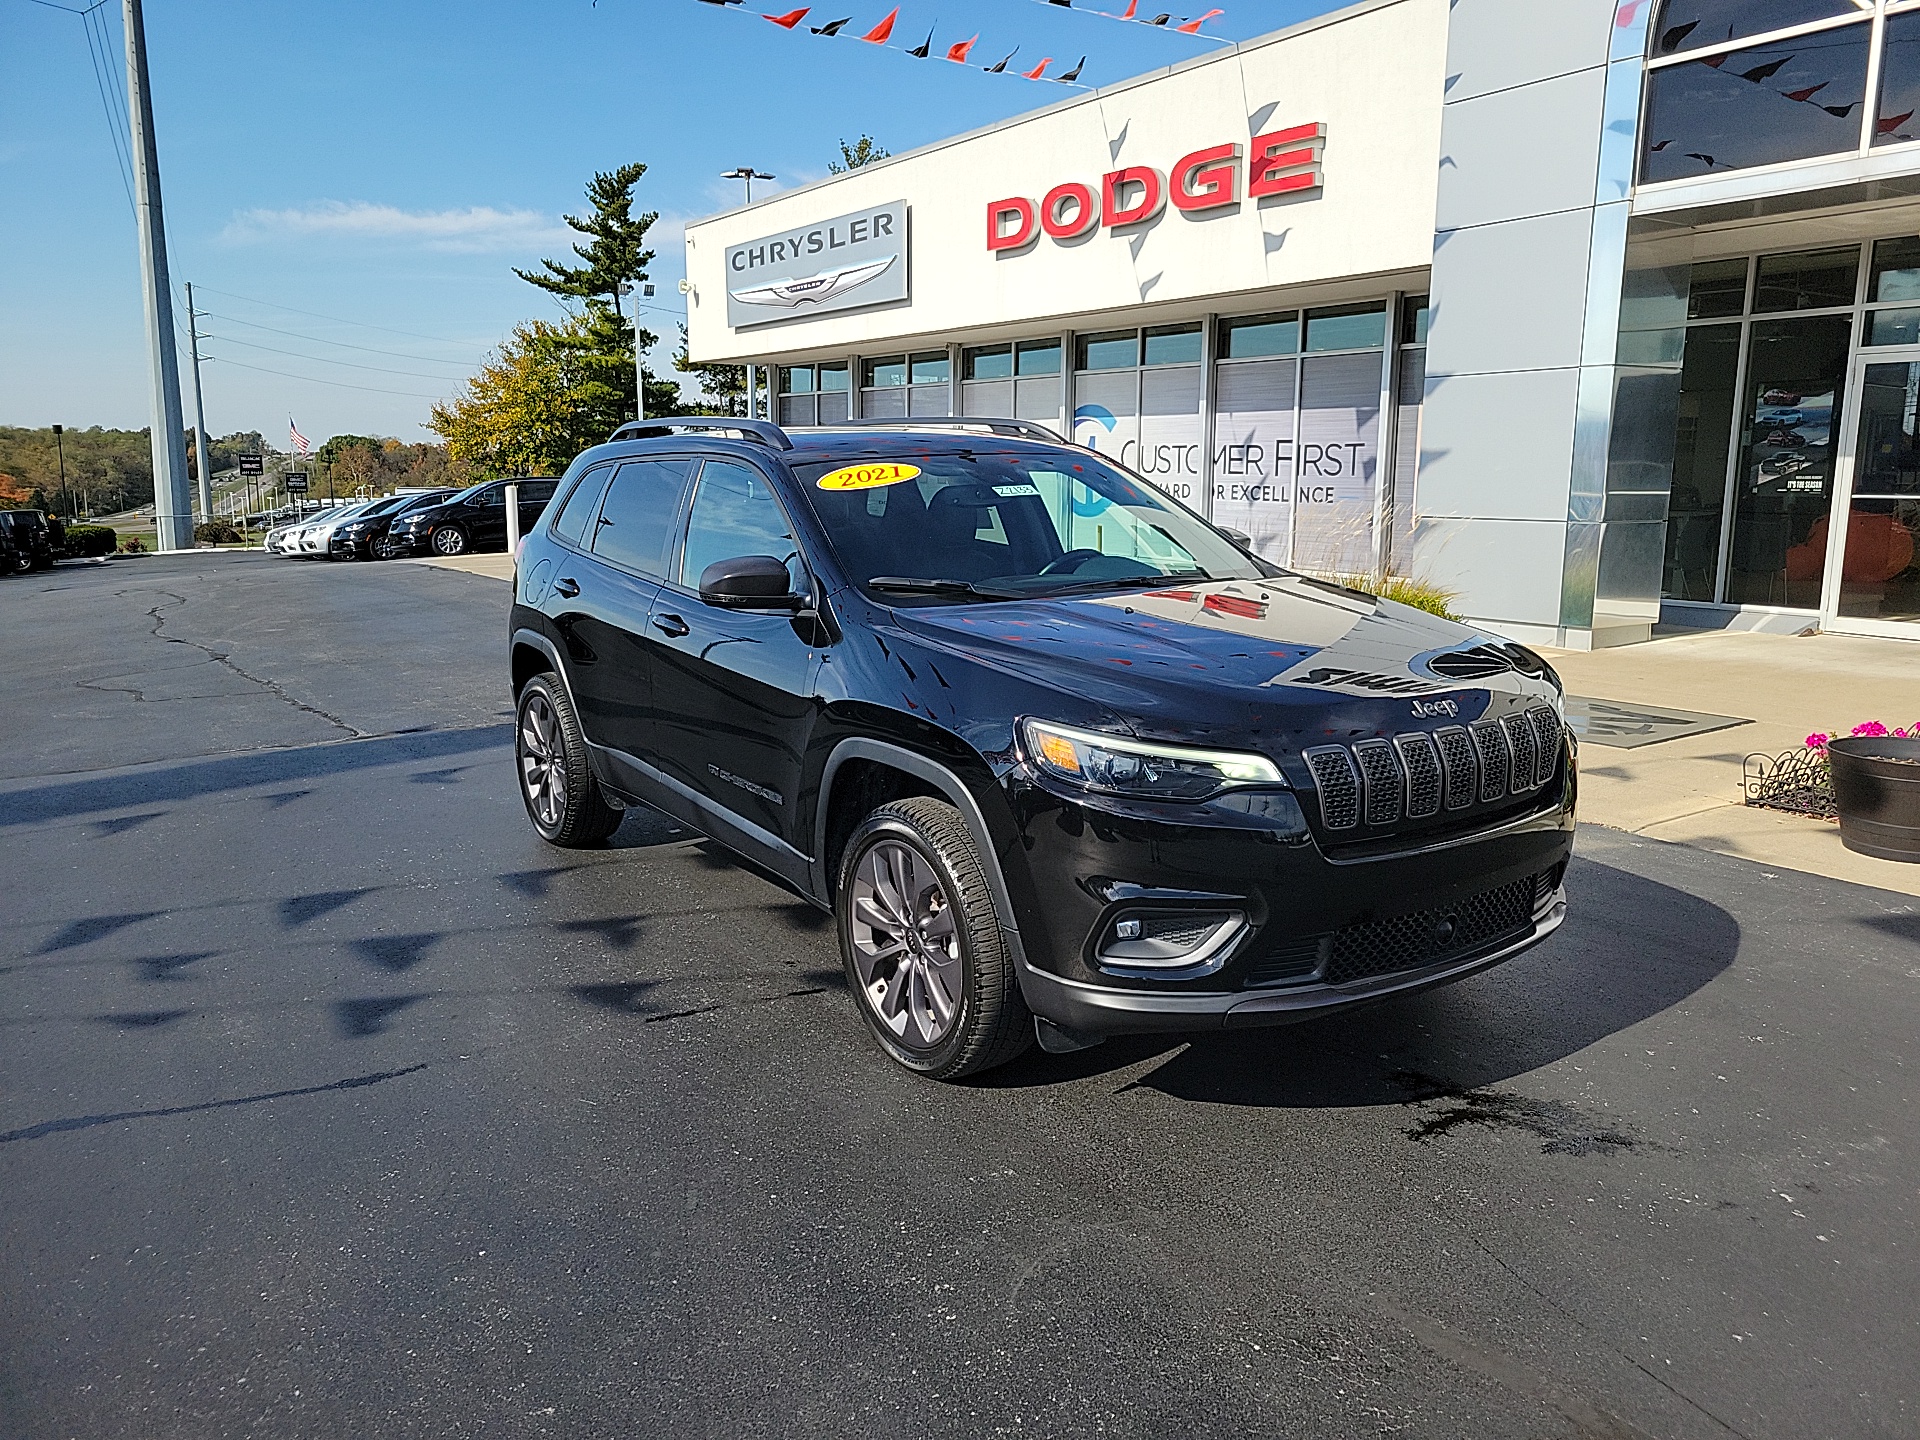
1383 782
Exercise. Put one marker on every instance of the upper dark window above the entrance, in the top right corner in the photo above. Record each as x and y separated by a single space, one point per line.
1740 84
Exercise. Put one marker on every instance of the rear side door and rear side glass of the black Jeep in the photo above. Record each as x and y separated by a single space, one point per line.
604 592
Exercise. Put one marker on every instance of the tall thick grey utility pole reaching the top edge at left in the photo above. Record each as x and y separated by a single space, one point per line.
174 521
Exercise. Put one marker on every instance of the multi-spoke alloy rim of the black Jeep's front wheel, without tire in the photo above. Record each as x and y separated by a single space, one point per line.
907 948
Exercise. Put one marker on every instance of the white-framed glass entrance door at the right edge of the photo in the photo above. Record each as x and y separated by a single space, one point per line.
1871 581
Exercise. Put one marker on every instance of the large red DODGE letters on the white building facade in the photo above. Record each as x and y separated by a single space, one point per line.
1276 164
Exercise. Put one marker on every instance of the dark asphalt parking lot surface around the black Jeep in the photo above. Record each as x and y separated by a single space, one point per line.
333 1103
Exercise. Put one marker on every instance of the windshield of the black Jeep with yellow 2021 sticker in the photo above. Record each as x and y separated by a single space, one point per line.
1007 525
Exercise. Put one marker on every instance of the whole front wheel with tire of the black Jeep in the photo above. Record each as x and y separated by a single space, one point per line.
923 948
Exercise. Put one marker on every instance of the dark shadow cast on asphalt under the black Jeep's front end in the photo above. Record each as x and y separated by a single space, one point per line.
1629 949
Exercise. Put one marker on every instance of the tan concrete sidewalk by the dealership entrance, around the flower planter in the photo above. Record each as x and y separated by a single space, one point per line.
1787 686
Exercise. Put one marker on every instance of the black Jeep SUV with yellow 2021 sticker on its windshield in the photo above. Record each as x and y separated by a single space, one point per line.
1057 754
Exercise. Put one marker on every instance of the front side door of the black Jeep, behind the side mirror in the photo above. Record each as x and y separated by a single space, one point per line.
734 690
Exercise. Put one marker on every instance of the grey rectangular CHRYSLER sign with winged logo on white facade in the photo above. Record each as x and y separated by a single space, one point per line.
842 264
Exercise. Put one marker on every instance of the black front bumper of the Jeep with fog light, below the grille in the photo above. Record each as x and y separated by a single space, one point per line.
1141 926
